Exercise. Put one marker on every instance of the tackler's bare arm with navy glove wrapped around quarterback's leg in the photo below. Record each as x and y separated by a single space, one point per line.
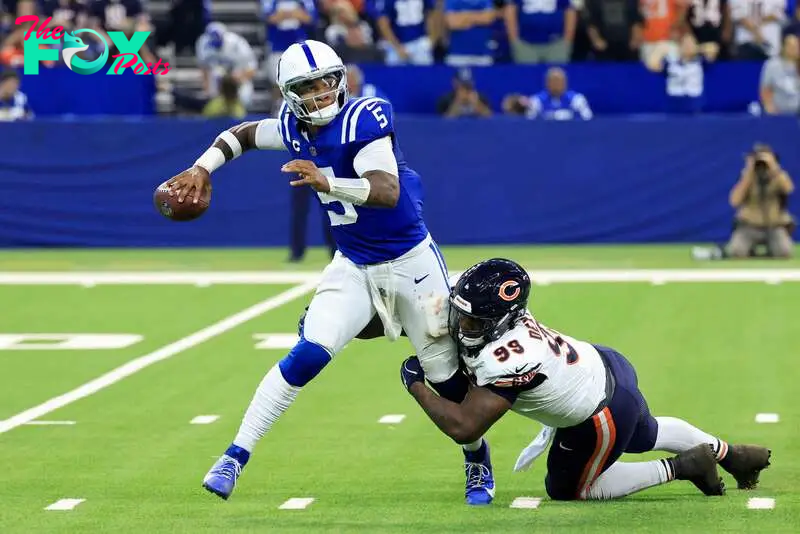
465 422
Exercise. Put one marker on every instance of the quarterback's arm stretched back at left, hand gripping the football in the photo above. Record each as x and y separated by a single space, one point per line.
229 145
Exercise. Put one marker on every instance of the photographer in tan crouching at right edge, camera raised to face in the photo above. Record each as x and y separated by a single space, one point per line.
760 198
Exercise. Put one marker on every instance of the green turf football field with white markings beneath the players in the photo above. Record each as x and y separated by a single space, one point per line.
714 353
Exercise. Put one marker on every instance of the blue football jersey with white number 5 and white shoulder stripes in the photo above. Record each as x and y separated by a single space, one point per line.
363 234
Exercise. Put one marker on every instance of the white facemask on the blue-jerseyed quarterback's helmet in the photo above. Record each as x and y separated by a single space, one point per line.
302 96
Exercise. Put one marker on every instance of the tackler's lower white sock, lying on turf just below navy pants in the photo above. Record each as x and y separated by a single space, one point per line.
623 478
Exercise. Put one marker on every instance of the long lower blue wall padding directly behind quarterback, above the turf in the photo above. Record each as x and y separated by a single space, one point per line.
90 183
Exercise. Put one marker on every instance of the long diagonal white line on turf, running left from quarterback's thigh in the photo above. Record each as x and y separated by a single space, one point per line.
165 352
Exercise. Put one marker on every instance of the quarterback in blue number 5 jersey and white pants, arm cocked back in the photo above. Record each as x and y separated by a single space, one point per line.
386 264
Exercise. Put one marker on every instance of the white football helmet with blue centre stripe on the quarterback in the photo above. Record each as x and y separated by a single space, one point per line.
299 66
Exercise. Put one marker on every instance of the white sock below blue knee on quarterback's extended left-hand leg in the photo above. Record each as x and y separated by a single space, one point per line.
273 396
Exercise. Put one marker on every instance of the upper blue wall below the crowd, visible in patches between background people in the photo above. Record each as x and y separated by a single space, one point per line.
610 88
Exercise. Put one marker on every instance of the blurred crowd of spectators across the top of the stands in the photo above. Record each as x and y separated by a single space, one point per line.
679 38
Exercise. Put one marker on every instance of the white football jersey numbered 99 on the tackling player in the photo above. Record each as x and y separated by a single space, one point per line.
567 375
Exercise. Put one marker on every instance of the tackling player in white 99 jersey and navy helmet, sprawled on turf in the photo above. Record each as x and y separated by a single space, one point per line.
588 393
